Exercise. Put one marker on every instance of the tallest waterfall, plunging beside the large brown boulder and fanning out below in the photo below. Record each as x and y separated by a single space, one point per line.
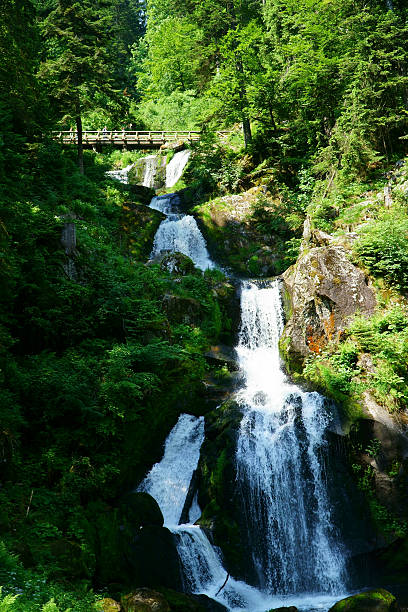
293 542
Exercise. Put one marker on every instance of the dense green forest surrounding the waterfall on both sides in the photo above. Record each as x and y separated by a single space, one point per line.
95 369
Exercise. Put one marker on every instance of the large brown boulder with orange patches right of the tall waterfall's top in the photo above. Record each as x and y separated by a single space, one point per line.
324 289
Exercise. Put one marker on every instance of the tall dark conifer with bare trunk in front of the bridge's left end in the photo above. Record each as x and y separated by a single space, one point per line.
77 68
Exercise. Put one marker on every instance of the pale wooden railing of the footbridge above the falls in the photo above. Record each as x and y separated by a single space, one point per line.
130 136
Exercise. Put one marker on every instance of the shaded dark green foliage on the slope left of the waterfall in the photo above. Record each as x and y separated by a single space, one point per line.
93 369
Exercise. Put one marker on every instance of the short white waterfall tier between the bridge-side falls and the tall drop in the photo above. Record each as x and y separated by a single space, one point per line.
179 233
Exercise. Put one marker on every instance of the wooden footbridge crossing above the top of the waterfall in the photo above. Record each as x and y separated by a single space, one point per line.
129 139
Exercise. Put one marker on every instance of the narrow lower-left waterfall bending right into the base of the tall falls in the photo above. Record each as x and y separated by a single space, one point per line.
168 482
